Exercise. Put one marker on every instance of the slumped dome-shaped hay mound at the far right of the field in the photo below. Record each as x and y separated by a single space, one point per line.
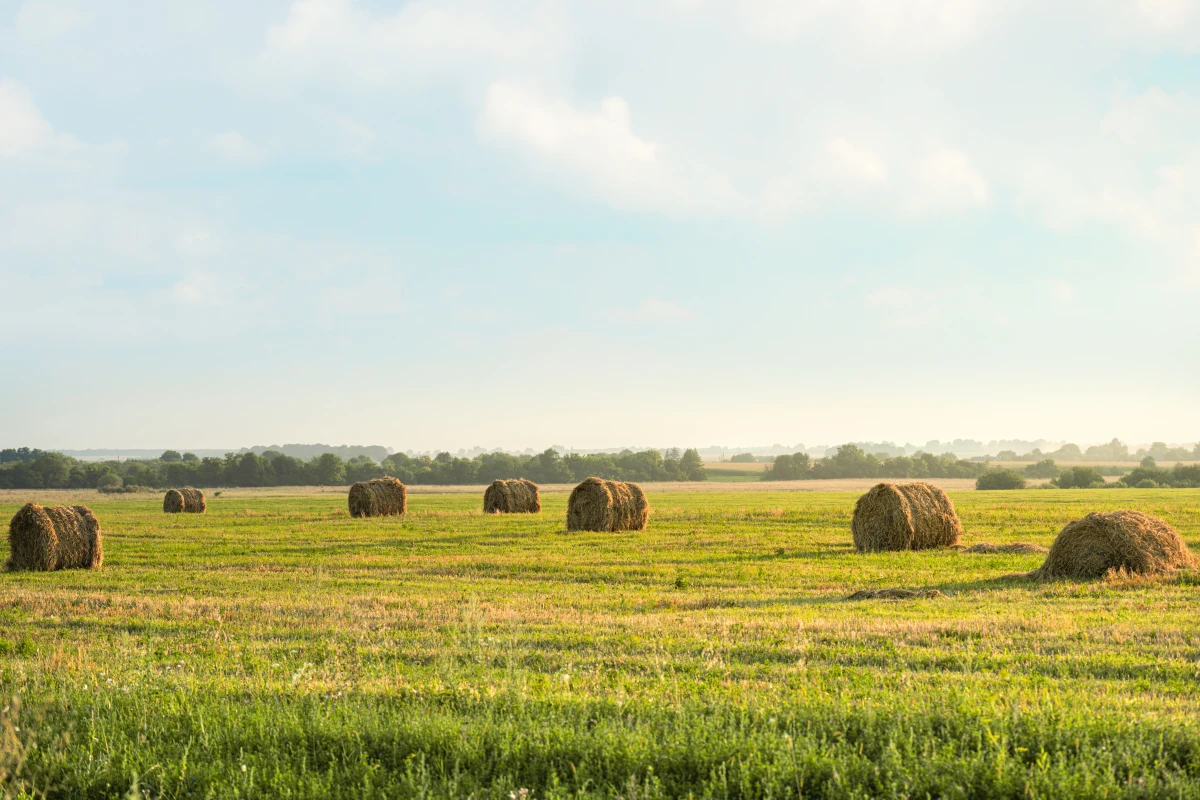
1119 540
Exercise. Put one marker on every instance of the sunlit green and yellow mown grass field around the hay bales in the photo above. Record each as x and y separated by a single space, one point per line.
277 648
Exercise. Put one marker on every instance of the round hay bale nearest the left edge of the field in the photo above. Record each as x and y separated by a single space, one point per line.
58 538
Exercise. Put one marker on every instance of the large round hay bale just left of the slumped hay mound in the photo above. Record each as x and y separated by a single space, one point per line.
905 518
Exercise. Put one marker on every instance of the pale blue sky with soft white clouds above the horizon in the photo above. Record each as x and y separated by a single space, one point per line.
435 225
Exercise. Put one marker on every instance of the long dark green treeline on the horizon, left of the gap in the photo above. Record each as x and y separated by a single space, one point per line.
33 470
